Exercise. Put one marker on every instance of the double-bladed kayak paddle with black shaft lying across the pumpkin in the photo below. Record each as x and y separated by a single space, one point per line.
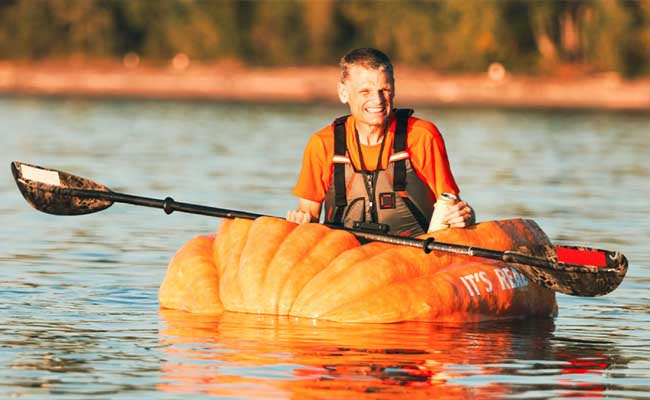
577 271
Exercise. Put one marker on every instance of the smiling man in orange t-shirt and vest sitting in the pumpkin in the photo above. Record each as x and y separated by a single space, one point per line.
378 169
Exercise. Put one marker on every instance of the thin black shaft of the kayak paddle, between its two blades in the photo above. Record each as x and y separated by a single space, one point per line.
169 205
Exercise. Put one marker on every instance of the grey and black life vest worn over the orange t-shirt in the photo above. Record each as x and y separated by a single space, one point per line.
401 202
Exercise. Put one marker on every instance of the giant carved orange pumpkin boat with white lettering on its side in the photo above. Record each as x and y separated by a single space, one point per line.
271 266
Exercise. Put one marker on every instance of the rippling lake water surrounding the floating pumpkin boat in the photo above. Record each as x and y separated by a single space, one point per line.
78 295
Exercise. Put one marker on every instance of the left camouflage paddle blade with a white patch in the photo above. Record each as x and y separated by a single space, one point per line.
57 192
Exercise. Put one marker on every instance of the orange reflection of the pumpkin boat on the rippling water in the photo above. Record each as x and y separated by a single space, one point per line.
258 356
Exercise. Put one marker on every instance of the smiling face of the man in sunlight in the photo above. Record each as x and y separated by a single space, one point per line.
369 93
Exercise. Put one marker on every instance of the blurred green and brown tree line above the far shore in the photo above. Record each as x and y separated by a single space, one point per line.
452 35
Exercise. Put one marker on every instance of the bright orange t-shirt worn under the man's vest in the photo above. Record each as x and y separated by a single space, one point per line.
424 143
